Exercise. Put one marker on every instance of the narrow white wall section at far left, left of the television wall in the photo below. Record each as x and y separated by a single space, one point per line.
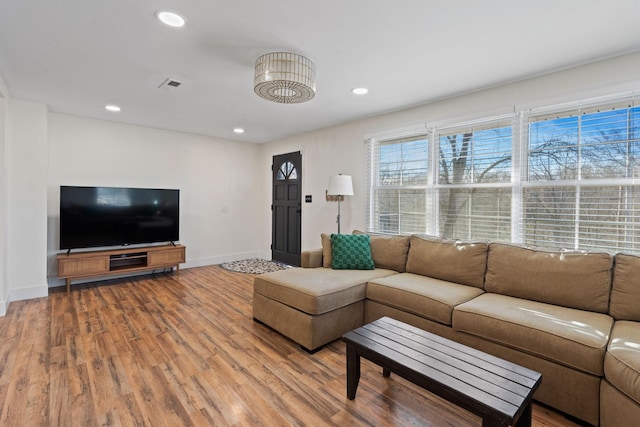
25 235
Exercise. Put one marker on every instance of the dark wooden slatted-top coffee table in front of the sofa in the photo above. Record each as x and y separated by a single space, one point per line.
498 391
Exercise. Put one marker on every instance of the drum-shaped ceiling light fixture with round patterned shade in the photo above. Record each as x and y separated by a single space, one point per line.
285 78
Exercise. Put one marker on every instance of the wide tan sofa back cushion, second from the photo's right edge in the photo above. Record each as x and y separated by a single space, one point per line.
573 279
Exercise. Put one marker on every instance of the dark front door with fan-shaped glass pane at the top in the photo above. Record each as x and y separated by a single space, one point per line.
287 208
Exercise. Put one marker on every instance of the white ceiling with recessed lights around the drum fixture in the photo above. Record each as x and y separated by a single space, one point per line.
78 55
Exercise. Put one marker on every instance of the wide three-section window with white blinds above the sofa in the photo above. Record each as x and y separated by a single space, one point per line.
562 177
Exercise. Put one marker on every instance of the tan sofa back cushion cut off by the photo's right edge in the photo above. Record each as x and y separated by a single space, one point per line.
625 294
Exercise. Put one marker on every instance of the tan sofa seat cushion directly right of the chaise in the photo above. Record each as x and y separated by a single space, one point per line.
421 295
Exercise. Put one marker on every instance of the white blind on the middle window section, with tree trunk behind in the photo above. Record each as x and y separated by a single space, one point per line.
474 184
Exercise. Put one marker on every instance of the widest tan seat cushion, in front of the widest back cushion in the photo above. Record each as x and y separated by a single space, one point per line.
574 338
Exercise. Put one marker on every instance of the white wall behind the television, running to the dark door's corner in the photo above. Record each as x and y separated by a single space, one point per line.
219 211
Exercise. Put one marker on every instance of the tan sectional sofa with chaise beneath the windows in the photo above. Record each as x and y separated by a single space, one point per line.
573 316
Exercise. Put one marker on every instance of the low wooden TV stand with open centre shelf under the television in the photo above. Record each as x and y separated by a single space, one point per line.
83 265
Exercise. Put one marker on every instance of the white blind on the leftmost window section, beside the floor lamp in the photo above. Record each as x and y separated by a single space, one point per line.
398 170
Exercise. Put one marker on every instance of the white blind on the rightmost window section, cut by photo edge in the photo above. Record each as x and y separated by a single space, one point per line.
581 192
